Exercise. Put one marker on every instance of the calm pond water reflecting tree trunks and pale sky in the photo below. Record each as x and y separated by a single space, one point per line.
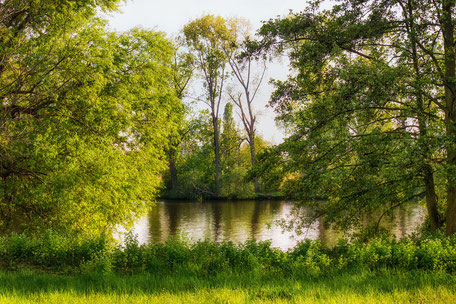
240 221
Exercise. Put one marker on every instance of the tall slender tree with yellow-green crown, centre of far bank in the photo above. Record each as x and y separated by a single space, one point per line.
207 38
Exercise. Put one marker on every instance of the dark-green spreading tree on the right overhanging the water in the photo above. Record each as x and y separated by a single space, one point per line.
371 106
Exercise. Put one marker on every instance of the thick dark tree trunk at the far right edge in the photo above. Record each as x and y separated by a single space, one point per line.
450 115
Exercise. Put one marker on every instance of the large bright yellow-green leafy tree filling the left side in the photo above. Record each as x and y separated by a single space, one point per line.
83 119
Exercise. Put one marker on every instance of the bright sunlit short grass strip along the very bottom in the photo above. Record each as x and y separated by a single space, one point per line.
381 286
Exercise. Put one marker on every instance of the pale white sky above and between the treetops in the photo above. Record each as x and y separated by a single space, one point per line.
170 16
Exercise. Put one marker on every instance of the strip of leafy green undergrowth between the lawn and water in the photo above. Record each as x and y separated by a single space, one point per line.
53 252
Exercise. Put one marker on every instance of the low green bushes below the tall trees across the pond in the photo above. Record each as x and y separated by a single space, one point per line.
191 163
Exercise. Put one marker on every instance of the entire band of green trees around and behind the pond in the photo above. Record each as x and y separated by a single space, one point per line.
93 123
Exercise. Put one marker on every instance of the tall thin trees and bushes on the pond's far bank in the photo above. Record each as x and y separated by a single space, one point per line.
212 156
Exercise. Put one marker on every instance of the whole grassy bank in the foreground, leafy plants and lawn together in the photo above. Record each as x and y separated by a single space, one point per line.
56 269
